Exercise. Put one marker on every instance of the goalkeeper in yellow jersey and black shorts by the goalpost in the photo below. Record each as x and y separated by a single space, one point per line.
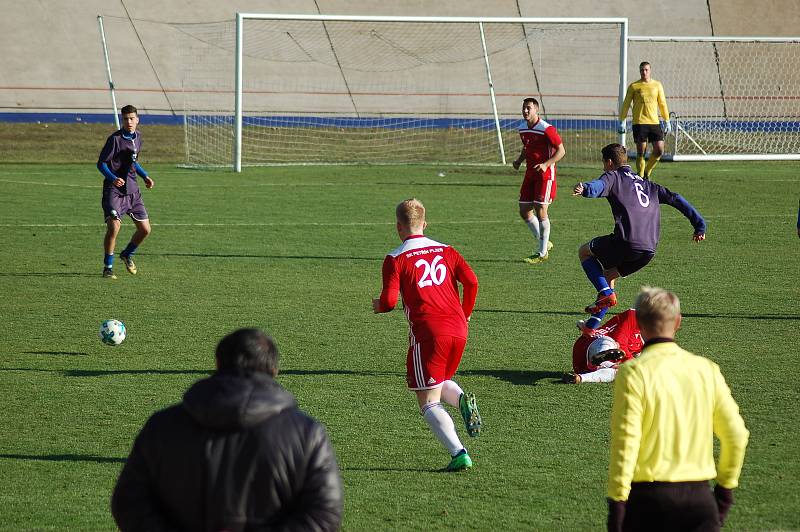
647 96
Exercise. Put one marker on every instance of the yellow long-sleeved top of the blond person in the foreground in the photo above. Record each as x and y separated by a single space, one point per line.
668 405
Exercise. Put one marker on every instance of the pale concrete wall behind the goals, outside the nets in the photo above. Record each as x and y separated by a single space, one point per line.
52 58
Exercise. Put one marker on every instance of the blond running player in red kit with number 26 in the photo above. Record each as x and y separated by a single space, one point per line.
427 274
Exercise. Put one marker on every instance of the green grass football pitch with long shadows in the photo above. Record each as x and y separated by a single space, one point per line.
298 252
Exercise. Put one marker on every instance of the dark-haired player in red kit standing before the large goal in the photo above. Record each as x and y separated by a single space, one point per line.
541 150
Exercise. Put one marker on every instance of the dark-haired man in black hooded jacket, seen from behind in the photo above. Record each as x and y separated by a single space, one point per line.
237 454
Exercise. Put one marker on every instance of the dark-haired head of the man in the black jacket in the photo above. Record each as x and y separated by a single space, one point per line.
247 351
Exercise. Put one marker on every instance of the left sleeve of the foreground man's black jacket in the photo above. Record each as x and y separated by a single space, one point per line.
133 503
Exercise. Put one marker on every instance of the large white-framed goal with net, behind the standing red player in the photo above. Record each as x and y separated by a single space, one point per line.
399 90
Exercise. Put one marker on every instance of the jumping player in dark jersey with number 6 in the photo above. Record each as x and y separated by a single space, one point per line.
636 206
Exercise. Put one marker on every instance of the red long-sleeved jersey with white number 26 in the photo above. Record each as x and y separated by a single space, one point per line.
427 274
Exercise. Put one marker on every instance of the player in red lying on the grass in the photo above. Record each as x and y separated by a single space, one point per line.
598 352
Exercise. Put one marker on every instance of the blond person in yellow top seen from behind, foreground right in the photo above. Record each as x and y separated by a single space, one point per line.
668 405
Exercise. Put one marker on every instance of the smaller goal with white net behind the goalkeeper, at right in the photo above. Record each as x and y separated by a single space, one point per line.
731 98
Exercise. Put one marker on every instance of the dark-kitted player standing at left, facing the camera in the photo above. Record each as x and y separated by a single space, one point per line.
118 162
